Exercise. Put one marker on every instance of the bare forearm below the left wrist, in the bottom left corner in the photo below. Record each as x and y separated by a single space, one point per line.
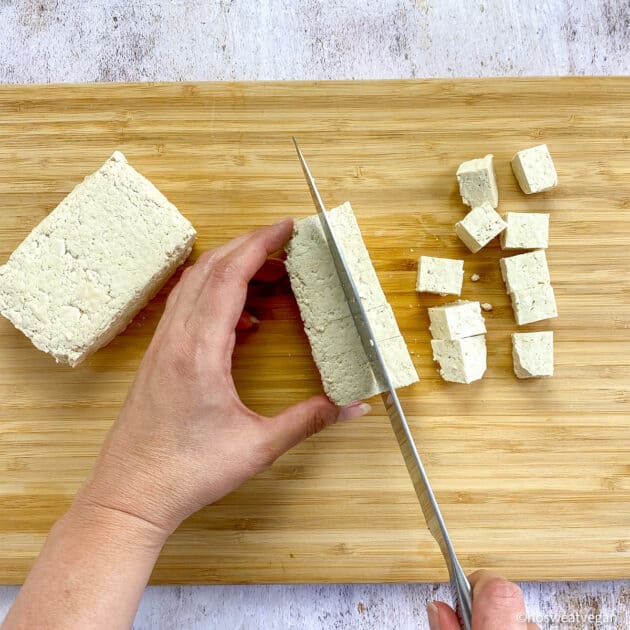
91 572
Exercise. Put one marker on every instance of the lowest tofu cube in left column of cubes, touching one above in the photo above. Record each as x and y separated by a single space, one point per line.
461 360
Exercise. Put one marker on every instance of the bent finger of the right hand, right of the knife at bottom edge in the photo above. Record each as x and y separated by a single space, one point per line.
497 603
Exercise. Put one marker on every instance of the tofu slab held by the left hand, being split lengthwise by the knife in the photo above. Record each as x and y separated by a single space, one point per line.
343 365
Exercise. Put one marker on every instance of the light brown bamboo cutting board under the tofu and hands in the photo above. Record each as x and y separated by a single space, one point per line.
532 476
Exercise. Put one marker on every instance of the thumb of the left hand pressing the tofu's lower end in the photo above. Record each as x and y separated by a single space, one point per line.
308 417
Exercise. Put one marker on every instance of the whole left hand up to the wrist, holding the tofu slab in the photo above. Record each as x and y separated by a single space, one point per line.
184 439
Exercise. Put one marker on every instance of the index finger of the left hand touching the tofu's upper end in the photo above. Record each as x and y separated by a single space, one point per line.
224 290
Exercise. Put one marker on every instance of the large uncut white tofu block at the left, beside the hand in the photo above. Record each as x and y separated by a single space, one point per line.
81 275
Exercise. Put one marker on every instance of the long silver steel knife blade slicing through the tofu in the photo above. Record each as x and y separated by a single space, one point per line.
430 509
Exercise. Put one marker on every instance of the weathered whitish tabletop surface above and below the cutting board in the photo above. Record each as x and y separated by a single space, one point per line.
172 40
